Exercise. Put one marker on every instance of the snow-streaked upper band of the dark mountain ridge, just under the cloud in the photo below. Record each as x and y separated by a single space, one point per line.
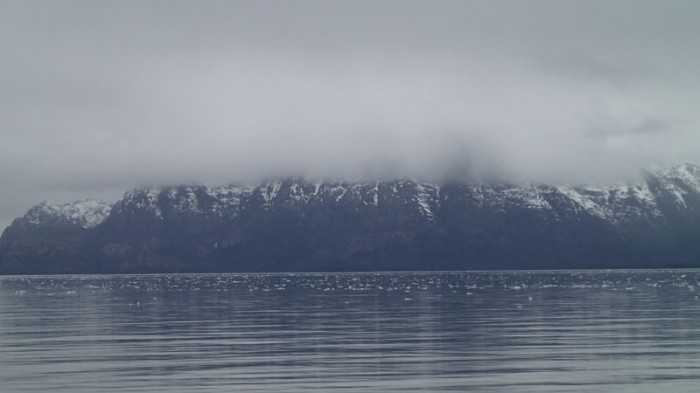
614 203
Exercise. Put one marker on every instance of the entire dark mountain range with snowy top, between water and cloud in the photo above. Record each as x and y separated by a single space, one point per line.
295 225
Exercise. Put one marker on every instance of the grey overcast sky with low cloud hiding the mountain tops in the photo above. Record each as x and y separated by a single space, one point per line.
97 97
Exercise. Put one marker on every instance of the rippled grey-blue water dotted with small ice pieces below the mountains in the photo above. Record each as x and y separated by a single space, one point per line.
624 331
